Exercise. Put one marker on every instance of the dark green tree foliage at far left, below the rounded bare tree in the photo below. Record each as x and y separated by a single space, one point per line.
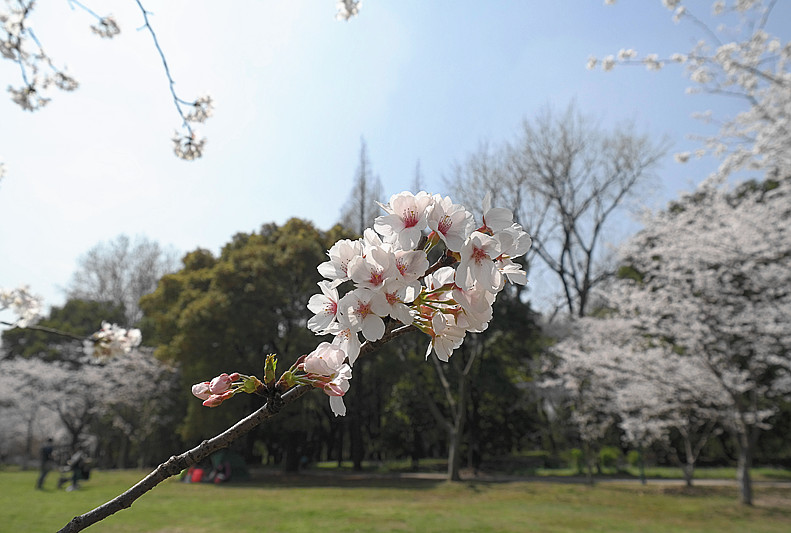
77 317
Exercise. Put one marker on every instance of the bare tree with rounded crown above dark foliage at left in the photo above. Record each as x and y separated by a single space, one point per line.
122 271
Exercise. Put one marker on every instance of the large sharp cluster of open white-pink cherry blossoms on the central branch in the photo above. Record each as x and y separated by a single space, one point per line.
392 283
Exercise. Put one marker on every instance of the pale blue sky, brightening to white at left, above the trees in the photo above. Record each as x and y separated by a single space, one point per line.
295 90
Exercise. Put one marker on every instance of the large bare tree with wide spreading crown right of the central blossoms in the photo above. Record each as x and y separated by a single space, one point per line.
564 177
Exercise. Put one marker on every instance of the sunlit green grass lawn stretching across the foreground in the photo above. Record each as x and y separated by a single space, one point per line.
305 503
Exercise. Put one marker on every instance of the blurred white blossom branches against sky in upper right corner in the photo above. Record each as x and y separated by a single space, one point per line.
751 64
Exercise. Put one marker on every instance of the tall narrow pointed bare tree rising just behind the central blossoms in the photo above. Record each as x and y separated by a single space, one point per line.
360 209
